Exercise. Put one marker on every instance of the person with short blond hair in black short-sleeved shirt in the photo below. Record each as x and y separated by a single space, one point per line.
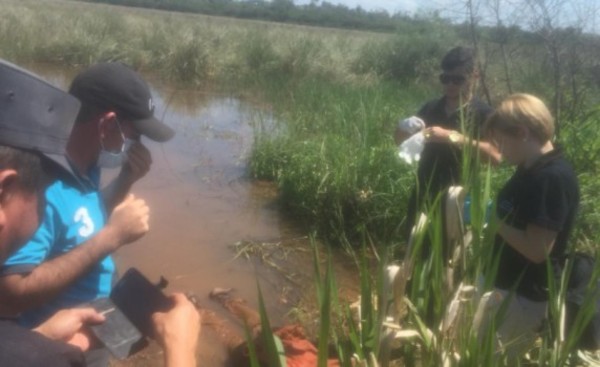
535 211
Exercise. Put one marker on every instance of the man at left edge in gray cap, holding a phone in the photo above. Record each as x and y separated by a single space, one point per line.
35 123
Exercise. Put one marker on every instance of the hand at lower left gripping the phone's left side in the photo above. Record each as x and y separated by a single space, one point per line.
69 326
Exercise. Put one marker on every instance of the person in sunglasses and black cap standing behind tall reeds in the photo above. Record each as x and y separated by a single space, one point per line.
451 124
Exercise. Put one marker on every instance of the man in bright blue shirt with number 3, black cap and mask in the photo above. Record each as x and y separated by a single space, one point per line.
68 262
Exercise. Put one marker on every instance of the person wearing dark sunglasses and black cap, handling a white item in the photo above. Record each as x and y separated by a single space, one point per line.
452 122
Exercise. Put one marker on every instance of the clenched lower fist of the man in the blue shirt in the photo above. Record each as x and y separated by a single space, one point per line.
128 221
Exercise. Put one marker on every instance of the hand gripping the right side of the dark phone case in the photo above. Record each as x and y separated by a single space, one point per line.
177 331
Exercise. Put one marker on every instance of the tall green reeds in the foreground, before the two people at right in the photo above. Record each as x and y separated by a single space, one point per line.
358 339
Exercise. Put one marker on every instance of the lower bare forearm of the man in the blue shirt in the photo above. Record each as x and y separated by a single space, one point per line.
20 292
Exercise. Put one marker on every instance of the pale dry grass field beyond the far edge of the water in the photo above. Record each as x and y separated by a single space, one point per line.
192 49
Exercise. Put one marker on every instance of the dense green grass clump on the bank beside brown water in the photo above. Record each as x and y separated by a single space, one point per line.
335 161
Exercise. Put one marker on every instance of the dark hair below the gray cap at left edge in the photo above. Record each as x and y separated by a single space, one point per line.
35 171
